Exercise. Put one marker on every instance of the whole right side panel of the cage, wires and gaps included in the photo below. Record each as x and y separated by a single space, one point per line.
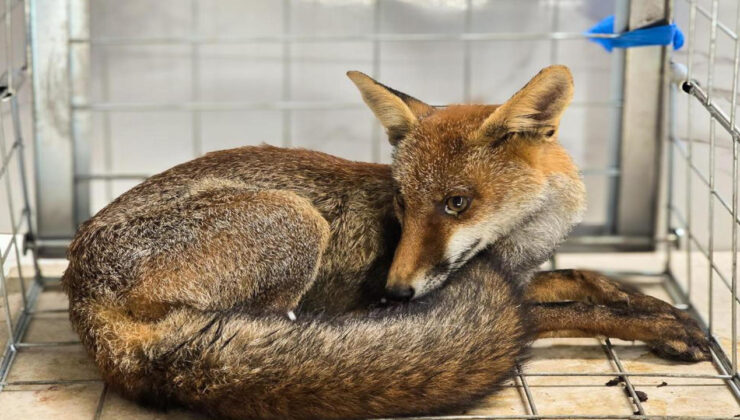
703 173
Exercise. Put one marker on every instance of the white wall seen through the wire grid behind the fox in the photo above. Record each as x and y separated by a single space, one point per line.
152 141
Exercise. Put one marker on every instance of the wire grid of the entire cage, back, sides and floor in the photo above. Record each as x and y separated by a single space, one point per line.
679 227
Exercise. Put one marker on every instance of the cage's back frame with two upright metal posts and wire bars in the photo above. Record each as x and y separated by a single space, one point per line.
64 187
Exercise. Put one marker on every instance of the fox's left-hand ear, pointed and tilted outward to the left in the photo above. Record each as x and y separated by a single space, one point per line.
397 112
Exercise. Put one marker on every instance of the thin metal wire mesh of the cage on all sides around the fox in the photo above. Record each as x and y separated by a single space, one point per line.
683 225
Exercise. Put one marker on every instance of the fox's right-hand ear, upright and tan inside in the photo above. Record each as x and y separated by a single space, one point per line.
535 110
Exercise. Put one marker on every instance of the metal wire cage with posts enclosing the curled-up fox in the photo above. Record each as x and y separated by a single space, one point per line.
667 126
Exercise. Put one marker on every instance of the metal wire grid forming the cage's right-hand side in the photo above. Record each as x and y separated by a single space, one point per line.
685 81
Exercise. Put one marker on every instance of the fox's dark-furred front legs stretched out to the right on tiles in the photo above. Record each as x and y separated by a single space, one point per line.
585 303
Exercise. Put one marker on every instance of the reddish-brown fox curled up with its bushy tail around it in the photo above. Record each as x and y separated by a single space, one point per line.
250 283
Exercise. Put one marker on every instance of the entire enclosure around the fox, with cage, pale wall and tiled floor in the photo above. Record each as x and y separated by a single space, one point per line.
97 95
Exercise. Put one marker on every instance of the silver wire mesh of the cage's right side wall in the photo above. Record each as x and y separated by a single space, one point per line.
682 150
